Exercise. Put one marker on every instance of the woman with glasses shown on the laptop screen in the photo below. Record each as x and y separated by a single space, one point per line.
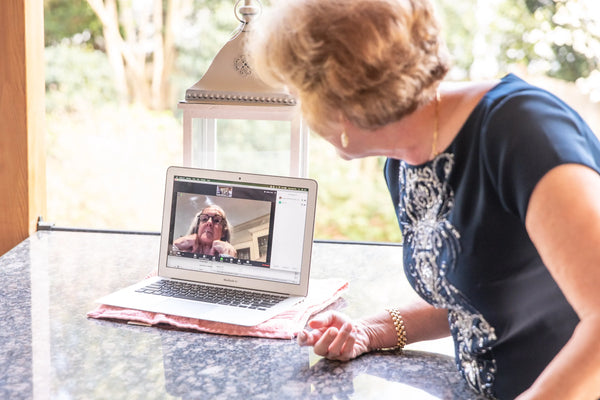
209 234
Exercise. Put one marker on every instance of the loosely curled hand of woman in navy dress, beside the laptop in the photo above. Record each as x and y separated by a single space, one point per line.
336 337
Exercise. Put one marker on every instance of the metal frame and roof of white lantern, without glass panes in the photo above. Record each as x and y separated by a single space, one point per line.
231 90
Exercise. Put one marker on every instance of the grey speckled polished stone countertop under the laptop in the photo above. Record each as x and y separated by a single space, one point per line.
49 349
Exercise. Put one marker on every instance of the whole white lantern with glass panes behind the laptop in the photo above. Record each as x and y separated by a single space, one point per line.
231 93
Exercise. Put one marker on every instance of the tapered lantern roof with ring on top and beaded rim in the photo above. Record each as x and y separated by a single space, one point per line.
230 78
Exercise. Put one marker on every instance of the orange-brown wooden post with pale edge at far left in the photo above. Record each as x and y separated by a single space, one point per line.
22 122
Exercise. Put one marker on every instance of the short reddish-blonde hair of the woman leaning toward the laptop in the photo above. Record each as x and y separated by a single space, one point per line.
369 61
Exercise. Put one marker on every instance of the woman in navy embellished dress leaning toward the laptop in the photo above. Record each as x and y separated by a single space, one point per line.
496 187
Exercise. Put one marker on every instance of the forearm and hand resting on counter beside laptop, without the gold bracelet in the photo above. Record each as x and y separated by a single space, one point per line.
337 337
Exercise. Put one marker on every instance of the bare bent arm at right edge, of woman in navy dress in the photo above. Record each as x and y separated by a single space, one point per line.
563 221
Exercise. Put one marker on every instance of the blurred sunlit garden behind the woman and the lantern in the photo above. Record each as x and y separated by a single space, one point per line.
116 70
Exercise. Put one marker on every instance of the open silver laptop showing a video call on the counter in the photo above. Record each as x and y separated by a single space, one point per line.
264 253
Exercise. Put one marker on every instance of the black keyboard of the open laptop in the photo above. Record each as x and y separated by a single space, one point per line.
213 294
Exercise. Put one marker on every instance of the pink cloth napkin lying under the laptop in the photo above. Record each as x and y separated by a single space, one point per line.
321 294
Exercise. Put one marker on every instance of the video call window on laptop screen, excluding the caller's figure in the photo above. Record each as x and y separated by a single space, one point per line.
249 215
